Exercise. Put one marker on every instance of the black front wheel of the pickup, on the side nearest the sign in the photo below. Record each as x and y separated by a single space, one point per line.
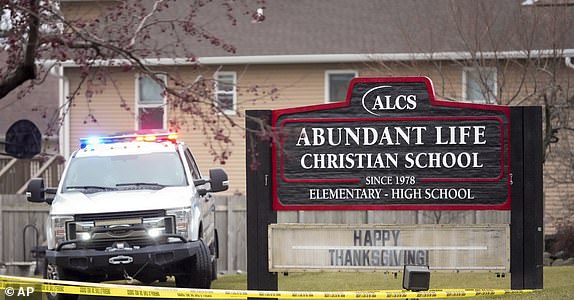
198 270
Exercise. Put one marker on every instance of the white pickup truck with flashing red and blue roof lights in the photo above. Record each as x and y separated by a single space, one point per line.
131 206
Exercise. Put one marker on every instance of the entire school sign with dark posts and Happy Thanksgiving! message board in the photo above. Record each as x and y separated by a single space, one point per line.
393 146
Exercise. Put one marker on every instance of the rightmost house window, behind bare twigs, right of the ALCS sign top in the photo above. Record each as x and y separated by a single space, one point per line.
479 85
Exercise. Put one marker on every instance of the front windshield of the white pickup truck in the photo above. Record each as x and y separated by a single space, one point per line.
146 171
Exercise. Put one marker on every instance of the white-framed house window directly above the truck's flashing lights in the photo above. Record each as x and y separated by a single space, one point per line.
150 104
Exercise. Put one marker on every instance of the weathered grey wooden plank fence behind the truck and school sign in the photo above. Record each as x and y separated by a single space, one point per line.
18 218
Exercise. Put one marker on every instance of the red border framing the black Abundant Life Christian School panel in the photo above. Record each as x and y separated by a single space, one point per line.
276 114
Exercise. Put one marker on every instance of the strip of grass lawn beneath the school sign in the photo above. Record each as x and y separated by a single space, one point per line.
558 282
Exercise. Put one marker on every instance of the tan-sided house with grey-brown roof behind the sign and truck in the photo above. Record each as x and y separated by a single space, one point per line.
303 52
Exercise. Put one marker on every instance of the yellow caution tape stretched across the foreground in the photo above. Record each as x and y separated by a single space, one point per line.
8 283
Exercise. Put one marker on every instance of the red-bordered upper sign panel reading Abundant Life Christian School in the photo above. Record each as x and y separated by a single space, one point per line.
392 145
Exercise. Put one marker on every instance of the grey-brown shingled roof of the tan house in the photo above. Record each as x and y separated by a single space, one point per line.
333 27
